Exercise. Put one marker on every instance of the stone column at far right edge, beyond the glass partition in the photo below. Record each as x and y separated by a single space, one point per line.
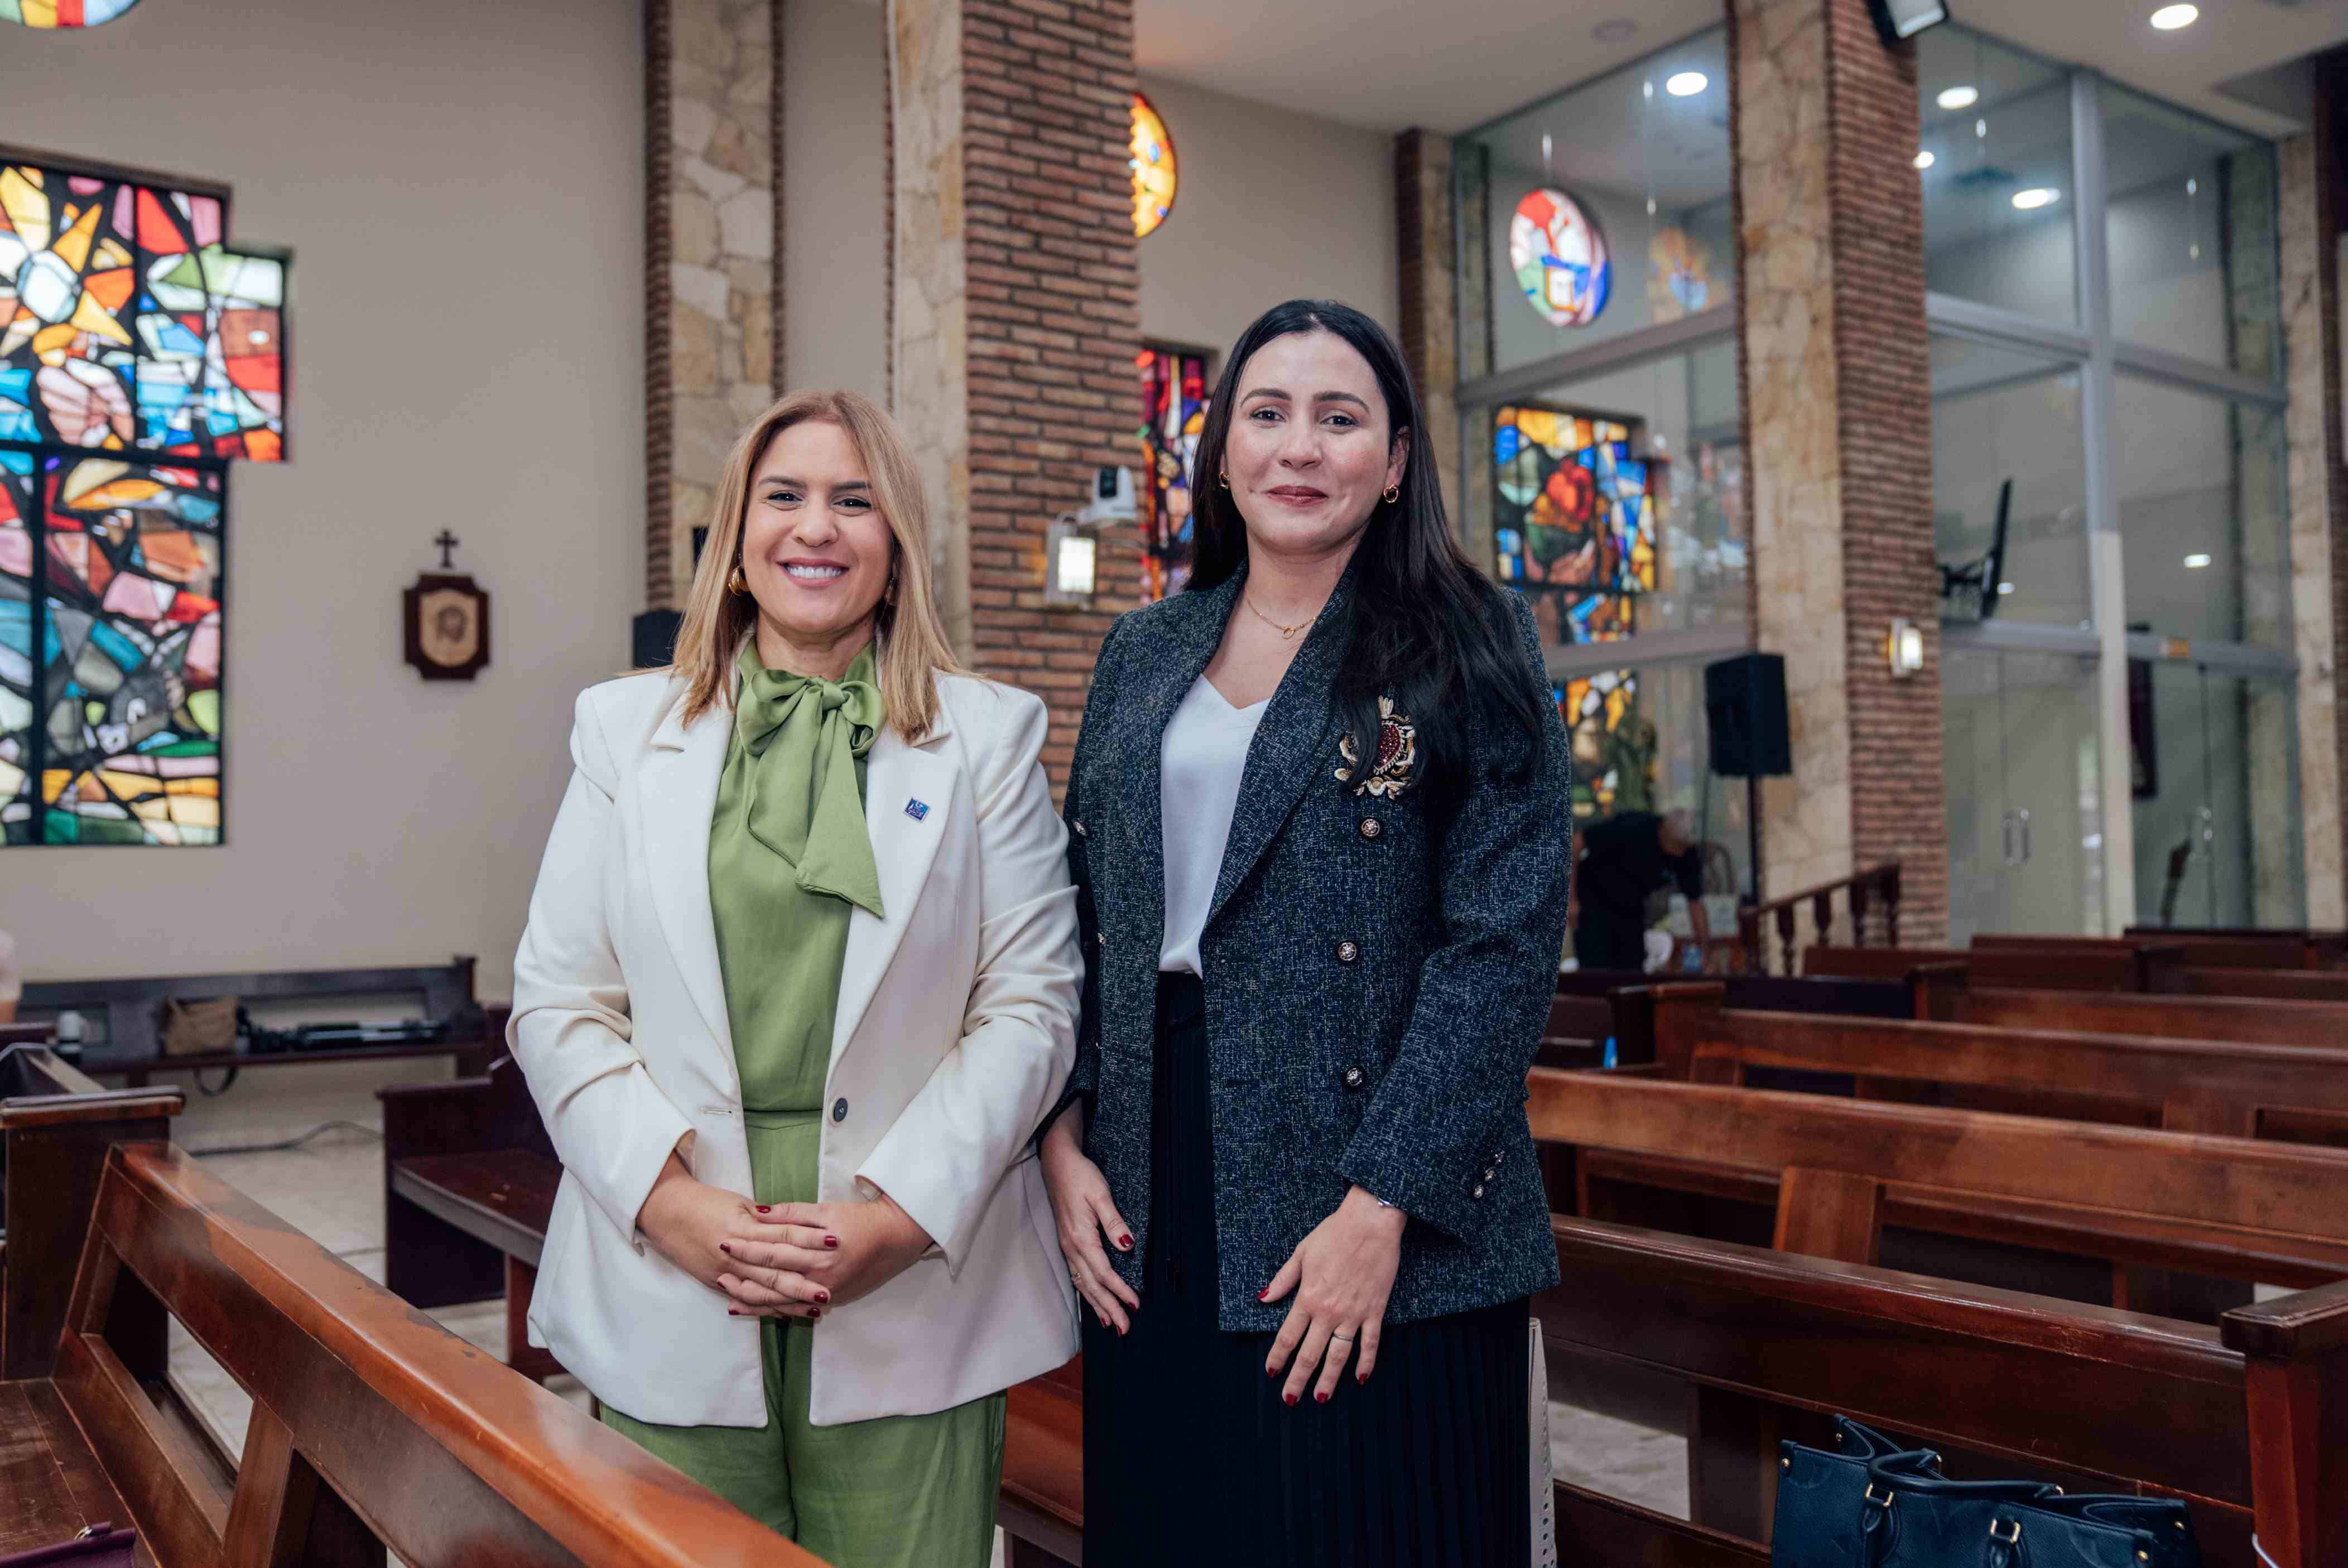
2312 212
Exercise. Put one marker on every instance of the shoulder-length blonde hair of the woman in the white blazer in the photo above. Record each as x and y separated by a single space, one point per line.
910 640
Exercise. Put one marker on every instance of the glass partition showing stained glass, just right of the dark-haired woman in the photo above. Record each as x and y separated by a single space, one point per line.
1600 421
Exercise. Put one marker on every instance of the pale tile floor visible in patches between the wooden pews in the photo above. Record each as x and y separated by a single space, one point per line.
332 1189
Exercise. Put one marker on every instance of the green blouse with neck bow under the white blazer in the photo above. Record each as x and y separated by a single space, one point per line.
788 860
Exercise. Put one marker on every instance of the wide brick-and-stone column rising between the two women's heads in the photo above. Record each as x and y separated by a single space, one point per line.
1018 313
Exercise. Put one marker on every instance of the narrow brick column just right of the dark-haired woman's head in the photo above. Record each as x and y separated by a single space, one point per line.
1429 327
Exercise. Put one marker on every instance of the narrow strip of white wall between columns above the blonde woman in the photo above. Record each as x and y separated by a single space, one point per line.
835 302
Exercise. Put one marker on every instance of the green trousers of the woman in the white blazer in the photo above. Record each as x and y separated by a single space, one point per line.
900 1492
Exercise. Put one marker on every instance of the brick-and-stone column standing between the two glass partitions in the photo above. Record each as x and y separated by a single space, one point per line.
1837 417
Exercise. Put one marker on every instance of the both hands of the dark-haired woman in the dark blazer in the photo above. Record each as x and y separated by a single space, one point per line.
1342 1273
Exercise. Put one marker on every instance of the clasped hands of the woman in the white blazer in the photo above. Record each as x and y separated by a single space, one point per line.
778 1259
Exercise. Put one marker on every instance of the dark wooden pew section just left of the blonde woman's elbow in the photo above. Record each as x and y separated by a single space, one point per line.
468 1189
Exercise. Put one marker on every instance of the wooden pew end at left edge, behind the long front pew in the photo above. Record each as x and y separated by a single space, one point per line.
55 1130
